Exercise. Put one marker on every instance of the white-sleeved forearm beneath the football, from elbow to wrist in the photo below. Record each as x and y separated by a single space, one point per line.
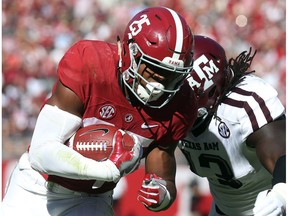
58 159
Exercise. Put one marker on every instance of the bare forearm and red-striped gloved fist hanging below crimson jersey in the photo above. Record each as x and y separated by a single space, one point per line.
158 190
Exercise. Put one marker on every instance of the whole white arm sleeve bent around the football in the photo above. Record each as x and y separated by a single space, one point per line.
48 154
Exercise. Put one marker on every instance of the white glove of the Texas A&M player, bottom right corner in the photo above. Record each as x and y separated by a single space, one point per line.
272 202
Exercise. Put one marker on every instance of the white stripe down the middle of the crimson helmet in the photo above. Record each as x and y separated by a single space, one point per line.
179 34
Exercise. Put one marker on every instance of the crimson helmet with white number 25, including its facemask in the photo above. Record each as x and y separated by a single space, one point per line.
161 39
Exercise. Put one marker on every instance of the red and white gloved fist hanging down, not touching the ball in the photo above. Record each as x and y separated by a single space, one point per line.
153 193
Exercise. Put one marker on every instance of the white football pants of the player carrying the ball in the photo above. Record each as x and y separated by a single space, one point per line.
29 194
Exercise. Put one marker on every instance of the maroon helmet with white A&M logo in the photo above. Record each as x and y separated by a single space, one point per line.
211 73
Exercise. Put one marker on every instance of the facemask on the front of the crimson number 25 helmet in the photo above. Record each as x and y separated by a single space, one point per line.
156 93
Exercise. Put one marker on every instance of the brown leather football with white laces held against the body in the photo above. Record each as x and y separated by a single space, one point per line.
97 141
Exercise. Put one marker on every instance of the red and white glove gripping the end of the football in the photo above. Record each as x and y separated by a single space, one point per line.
126 161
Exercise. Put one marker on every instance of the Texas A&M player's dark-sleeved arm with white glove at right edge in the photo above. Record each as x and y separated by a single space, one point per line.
270 144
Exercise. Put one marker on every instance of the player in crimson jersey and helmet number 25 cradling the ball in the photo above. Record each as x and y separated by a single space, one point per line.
137 85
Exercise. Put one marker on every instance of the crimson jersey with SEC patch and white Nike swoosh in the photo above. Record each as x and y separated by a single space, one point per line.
90 69
